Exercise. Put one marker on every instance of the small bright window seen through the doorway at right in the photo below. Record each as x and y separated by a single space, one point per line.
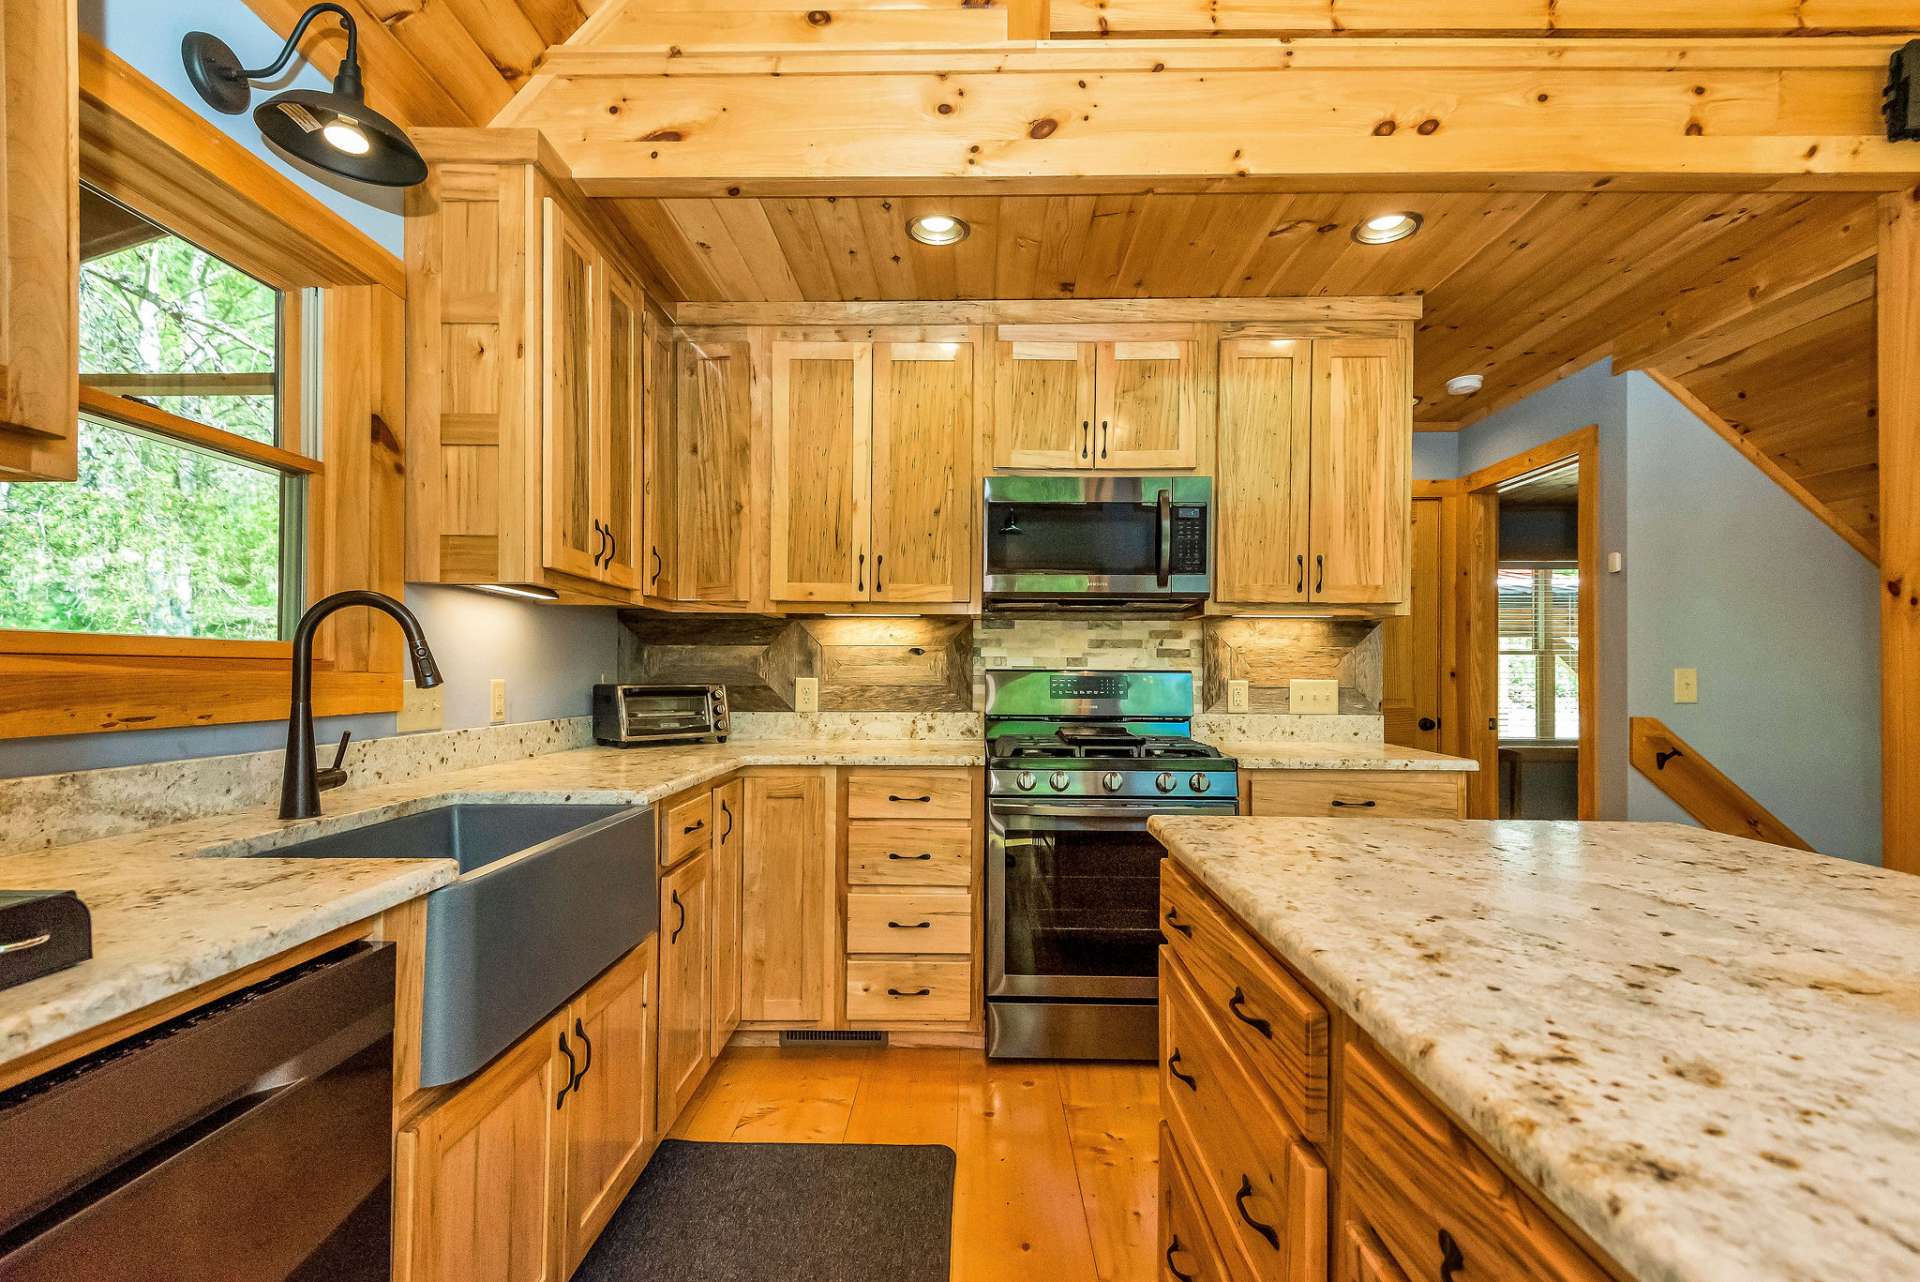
1539 652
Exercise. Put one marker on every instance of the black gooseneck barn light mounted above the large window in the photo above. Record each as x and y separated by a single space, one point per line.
335 131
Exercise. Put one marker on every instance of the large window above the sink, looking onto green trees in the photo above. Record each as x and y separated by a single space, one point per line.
185 519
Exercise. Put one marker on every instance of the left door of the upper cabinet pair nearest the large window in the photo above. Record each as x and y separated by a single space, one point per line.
571 531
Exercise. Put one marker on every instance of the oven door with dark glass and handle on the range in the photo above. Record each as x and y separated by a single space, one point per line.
1074 897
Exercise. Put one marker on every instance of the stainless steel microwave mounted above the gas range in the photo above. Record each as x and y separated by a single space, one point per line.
1097 542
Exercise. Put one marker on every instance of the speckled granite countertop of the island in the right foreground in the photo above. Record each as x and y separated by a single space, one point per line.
1702 1049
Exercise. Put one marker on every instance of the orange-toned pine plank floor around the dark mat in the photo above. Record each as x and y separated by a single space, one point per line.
1057 1162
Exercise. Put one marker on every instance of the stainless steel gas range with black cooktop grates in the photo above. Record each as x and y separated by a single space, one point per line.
1076 767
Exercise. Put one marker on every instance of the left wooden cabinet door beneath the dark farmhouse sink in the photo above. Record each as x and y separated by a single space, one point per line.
481 1175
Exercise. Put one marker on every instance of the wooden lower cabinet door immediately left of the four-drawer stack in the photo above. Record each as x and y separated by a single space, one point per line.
786 922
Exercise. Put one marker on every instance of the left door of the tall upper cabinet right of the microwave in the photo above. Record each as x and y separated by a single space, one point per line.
1262 490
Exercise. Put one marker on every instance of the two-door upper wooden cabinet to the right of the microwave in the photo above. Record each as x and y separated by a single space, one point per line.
1316 498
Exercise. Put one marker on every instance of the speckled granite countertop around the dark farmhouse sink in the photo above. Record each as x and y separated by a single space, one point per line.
170 918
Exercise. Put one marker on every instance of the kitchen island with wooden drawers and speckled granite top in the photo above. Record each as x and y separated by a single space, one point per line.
1656 1053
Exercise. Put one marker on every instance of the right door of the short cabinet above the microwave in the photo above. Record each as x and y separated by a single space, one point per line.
1147 406
